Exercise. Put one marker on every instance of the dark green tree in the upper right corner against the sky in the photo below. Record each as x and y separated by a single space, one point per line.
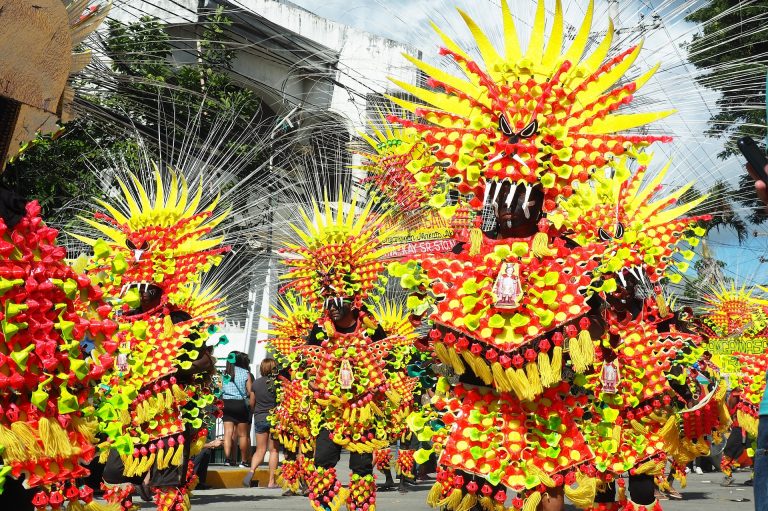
732 52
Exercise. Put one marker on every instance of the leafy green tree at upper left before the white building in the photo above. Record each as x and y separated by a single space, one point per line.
58 171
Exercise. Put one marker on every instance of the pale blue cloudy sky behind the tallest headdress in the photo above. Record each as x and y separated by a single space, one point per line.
693 155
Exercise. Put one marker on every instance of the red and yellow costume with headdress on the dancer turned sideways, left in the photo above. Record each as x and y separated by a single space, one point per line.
152 399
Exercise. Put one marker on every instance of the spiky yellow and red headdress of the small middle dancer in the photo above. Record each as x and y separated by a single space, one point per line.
340 257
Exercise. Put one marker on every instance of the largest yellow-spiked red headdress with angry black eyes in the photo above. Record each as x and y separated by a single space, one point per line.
540 117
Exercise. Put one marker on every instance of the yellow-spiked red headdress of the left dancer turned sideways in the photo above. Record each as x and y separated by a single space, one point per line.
166 242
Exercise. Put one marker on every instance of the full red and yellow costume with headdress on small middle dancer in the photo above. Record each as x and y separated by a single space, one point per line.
355 368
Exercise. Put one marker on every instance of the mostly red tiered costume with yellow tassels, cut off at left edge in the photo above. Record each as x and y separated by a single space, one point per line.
56 345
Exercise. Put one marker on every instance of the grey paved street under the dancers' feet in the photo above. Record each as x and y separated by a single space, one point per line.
702 494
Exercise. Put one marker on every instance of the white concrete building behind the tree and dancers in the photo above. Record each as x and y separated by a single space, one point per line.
314 74
